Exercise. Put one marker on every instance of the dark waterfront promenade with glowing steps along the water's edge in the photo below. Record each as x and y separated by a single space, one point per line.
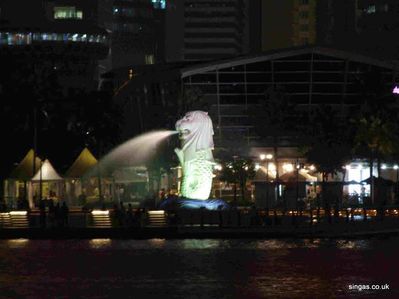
235 223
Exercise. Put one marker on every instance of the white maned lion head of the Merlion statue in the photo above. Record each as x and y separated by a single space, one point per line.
195 131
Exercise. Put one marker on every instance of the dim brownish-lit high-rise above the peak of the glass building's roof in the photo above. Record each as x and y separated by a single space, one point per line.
288 23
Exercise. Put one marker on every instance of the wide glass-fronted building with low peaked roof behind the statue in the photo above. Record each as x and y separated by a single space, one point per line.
310 77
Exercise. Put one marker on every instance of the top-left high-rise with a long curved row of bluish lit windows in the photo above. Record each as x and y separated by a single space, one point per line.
53 36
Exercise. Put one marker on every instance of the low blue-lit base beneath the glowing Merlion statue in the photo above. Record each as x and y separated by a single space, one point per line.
174 203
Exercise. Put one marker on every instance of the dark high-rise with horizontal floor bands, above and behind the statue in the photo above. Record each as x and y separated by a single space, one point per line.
198 30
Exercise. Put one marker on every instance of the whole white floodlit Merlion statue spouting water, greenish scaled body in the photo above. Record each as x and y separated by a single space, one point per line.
195 156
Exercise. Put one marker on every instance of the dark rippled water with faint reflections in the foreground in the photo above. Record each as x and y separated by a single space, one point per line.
159 268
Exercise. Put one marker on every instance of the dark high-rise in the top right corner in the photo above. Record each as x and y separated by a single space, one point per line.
364 26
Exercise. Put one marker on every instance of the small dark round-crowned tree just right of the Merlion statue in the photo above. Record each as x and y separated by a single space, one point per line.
238 172
